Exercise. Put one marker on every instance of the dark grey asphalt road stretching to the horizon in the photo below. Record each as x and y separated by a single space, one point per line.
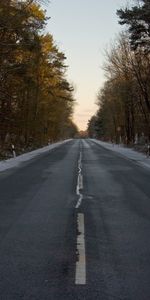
75 224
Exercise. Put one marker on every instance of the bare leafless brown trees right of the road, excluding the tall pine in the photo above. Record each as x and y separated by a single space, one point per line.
121 104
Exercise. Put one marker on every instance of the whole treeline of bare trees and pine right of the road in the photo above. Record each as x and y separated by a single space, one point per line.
124 101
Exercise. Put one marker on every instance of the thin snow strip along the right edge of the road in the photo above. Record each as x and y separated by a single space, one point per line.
131 154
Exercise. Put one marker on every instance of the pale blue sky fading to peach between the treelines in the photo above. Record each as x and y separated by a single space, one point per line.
82 29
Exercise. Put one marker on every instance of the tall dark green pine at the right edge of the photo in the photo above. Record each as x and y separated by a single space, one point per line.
137 19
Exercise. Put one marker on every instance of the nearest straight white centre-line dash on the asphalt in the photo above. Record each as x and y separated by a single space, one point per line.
80 276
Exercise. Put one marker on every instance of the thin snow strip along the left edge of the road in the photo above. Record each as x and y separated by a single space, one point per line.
14 162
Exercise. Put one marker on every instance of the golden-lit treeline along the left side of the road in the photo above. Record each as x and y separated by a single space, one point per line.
36 100
